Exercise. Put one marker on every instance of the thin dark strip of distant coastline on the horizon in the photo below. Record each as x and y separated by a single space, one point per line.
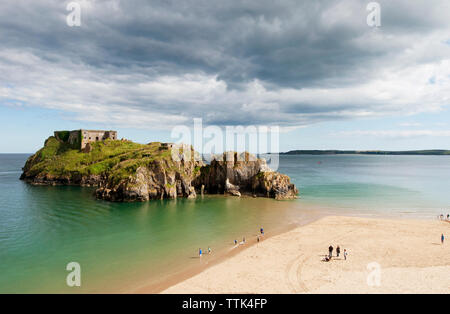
434 152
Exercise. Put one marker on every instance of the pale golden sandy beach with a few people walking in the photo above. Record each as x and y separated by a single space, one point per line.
384 256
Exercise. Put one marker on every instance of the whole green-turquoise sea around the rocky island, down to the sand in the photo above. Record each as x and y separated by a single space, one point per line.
124 246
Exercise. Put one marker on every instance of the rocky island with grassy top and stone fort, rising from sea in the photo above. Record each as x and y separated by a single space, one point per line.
126 171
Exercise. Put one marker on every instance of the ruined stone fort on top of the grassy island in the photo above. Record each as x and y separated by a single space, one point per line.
80 138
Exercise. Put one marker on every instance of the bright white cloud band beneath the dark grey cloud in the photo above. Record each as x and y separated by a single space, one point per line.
136 99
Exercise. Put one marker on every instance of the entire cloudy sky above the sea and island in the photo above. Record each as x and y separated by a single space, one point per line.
314 68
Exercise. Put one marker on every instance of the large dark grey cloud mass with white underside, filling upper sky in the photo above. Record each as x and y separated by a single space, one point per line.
301 59
